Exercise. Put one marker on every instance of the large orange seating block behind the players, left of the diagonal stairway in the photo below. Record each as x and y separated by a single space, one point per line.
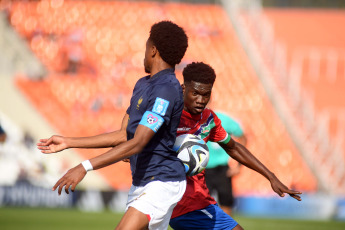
94 52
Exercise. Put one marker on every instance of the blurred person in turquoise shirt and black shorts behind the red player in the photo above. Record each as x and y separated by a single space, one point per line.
218 173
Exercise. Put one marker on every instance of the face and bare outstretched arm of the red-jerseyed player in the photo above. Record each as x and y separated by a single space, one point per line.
196 97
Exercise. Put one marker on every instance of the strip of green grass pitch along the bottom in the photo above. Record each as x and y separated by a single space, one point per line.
32 218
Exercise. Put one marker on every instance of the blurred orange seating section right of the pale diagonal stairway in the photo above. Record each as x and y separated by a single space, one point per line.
306 59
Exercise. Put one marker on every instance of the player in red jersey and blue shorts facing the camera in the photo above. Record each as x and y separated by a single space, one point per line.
197 209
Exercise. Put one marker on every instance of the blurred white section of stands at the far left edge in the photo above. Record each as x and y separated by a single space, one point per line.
20 160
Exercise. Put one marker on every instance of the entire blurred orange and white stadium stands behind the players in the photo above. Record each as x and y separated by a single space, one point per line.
69 67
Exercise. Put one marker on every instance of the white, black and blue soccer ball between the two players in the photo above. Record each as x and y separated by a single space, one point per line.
193 152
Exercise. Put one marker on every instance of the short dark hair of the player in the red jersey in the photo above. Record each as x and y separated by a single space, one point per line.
199 72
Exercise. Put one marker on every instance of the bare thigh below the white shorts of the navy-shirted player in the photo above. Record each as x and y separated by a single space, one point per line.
133 220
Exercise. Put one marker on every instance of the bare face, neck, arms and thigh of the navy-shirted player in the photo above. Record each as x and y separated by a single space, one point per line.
122 149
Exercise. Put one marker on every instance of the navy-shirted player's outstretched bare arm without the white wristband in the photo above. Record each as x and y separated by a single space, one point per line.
57 143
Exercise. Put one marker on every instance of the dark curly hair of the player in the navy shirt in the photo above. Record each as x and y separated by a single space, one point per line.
170 40
